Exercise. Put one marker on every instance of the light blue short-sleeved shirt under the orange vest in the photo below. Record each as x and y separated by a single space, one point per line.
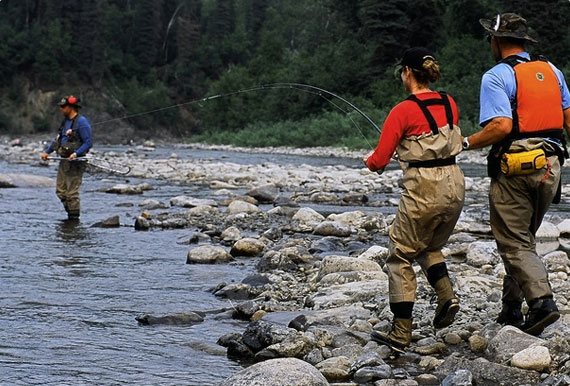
498 91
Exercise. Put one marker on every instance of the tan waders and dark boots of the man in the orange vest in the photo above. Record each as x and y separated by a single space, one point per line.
518 205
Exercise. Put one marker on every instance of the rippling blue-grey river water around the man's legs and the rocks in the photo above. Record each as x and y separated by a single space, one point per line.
71 292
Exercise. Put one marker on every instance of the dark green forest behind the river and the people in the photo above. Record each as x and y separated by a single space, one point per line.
125 57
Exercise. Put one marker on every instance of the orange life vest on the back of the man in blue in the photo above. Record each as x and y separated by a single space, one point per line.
538 103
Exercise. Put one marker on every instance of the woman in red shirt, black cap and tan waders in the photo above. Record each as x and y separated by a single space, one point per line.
423 131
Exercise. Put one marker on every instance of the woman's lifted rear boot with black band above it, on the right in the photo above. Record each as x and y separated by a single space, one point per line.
447 302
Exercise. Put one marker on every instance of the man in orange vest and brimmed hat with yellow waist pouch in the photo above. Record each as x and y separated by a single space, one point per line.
525 107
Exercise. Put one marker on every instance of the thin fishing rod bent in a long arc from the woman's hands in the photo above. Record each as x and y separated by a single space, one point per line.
320 92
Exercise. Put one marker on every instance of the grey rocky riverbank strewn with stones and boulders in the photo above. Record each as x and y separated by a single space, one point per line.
320 288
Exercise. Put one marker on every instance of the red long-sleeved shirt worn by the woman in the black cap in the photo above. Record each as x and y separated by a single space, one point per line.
406 119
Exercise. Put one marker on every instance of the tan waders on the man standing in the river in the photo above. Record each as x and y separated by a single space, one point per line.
69 178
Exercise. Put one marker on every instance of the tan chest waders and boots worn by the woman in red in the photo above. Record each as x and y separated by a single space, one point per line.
434 191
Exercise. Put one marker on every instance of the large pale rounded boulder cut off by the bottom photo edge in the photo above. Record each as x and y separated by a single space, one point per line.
278 372
